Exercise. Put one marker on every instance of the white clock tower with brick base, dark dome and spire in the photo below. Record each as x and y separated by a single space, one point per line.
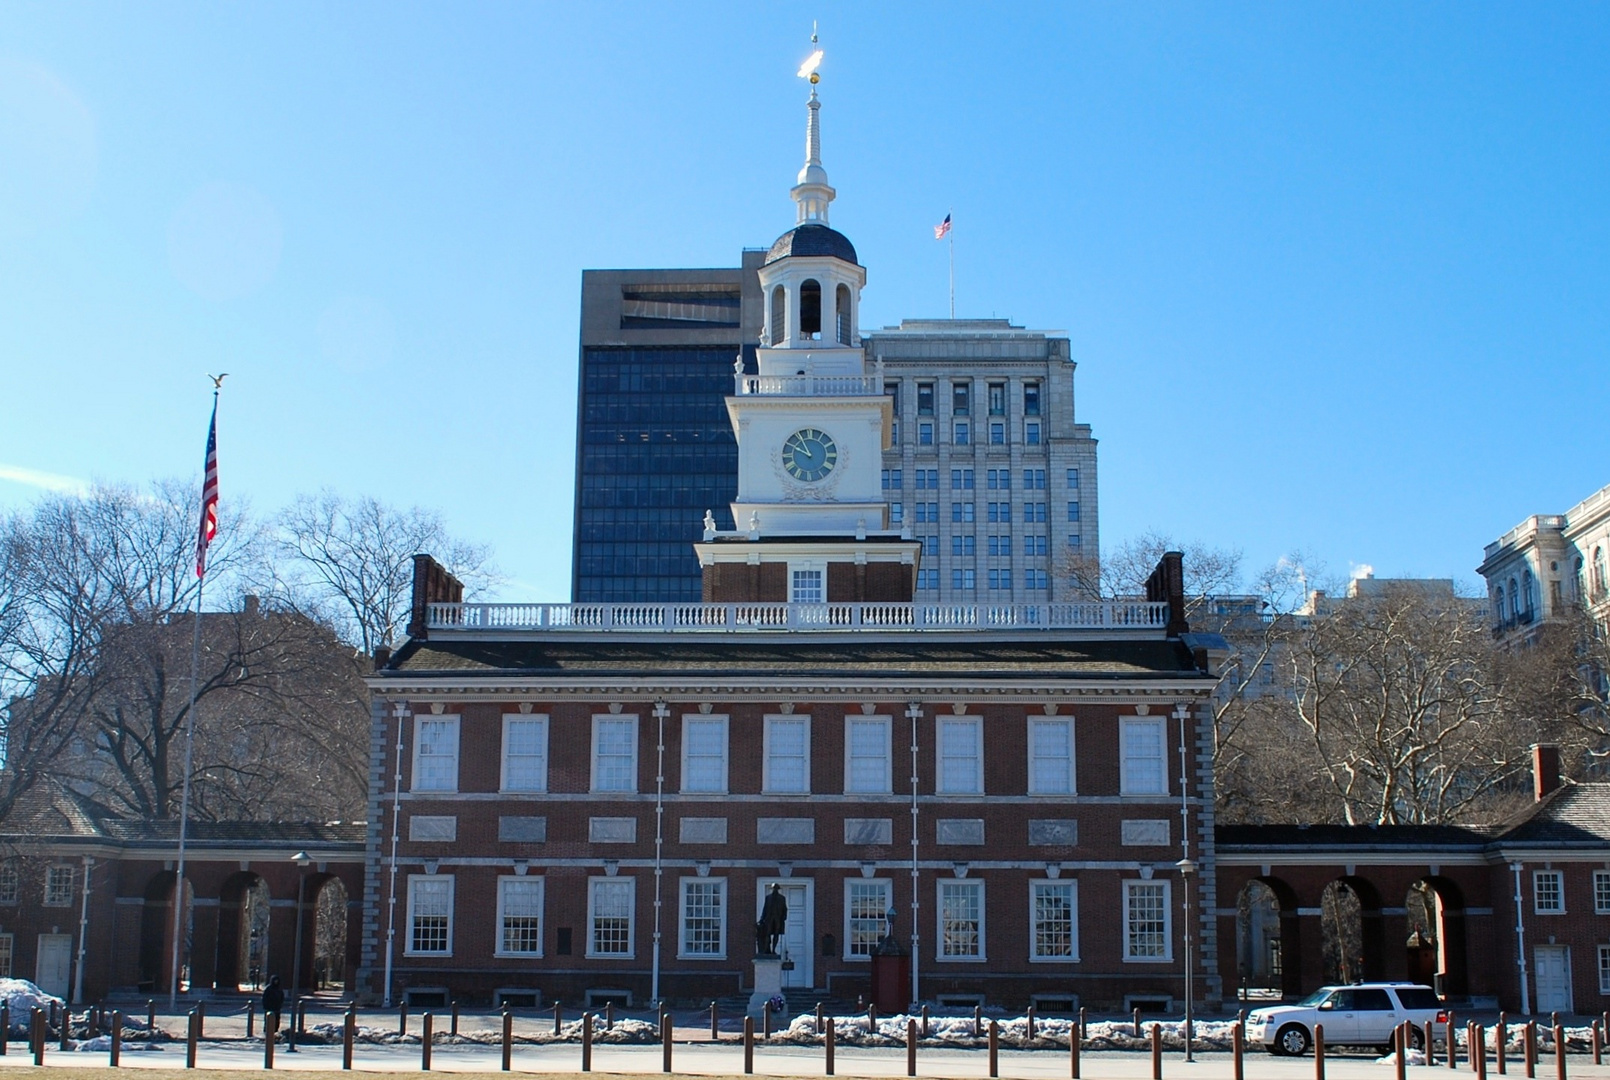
812 426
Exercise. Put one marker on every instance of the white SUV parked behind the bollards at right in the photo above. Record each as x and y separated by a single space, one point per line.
1363 1015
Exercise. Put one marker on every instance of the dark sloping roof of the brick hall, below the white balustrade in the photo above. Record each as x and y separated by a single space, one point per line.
931 656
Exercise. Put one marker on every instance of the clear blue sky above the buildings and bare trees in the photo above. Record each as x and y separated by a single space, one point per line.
1335 274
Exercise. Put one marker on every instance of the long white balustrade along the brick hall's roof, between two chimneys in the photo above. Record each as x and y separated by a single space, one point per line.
693 619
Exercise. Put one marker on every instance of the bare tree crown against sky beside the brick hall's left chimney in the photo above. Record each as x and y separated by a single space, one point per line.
352 563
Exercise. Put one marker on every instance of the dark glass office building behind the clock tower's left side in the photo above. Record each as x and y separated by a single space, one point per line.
654 447
